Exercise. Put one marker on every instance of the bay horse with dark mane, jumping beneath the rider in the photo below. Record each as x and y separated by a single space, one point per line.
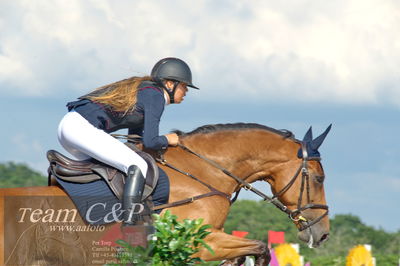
226 158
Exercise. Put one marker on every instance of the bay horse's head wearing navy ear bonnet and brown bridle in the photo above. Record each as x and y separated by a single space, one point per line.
298 183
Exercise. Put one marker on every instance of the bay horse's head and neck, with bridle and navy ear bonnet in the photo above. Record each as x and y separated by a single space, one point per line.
292 167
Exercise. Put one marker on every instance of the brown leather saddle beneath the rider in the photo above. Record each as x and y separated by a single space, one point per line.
91 170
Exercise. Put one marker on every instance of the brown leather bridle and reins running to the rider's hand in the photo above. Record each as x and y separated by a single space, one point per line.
295 215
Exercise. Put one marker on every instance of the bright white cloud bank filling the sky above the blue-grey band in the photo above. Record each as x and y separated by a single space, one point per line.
341 51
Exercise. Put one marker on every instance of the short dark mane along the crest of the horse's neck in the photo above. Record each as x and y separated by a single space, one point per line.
235 126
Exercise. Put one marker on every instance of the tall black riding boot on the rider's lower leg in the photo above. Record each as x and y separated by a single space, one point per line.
132 198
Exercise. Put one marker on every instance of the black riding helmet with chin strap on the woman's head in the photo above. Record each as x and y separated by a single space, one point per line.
174 69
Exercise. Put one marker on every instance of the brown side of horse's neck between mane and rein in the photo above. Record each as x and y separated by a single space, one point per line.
247 154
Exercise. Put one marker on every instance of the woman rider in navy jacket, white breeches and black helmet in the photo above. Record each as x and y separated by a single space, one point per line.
136 103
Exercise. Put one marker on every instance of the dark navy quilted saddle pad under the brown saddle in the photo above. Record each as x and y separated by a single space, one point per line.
97 204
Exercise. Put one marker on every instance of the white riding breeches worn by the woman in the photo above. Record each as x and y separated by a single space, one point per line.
83 141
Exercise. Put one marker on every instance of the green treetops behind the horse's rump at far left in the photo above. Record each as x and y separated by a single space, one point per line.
20 175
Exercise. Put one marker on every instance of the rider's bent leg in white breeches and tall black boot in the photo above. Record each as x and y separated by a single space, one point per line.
82 139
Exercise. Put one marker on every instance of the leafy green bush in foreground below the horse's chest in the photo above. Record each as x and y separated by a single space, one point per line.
175 243
